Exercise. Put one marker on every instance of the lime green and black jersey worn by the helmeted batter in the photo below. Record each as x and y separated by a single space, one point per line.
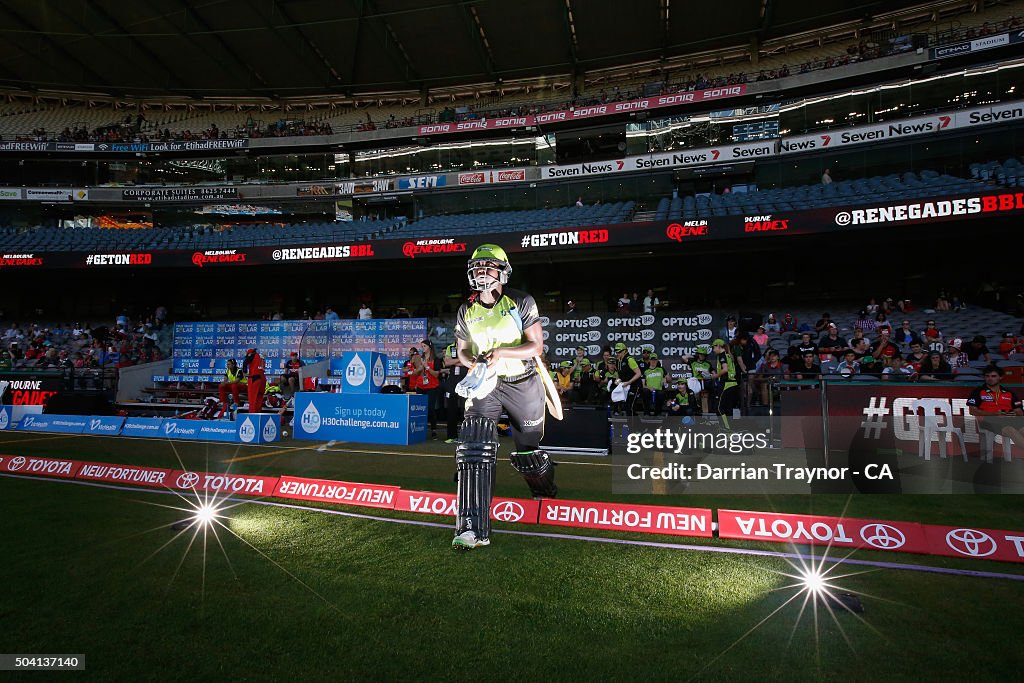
489 327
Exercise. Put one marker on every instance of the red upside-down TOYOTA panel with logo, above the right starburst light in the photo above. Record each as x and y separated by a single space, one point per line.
820 531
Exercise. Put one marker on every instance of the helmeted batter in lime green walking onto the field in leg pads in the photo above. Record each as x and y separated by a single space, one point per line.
499 327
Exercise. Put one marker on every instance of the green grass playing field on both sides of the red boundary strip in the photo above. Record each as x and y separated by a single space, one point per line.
298 595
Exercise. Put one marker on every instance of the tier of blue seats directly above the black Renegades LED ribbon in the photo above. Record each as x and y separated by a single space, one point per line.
909 186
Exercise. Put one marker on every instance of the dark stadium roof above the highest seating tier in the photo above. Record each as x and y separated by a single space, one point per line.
293 49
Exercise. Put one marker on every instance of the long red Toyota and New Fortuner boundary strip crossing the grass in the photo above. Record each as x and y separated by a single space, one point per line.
844 533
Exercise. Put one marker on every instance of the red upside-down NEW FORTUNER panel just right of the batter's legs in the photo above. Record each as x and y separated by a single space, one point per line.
627 518
